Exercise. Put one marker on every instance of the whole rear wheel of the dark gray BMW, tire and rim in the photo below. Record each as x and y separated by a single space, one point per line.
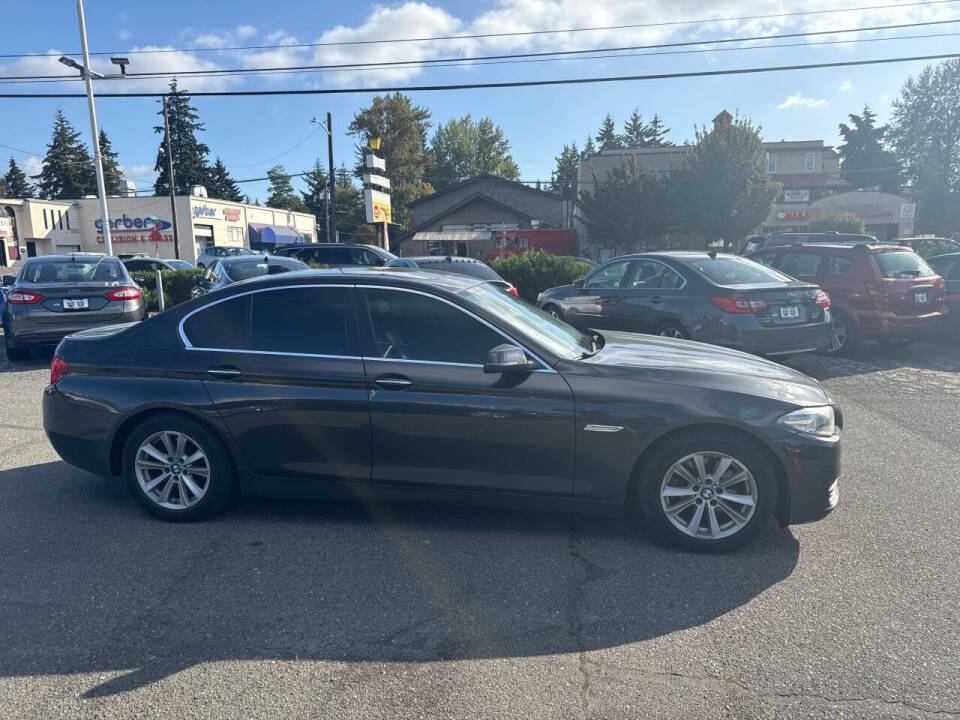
177 468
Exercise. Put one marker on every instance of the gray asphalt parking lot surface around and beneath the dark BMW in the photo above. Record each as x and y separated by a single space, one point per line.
303 610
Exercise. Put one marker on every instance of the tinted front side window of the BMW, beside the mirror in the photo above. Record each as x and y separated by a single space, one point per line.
408 326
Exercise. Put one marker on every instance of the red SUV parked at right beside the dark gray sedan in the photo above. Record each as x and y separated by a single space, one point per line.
878 292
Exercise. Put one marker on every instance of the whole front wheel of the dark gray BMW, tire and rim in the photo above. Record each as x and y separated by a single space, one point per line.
708 492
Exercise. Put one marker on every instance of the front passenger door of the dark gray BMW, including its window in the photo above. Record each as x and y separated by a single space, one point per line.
438 419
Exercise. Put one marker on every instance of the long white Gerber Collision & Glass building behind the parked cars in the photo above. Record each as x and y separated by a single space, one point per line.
144 225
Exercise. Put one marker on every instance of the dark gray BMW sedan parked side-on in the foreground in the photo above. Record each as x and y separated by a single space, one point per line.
369 384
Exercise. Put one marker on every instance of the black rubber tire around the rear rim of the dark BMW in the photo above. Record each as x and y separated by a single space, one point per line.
222 475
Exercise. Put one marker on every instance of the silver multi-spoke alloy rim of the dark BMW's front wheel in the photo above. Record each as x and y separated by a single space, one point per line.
708 495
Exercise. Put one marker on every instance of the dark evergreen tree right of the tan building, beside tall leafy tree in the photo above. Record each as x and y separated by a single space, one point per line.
863 161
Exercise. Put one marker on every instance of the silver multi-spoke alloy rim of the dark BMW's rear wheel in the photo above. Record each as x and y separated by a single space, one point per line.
172 470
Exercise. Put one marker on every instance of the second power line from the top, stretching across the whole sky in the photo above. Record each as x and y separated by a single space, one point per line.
506 56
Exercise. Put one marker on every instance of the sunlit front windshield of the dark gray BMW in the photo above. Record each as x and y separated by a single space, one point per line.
554 334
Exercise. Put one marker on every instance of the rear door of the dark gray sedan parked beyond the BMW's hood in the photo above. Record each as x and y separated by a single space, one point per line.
643 301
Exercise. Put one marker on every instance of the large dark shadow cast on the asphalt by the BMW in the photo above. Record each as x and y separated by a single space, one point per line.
94 585
